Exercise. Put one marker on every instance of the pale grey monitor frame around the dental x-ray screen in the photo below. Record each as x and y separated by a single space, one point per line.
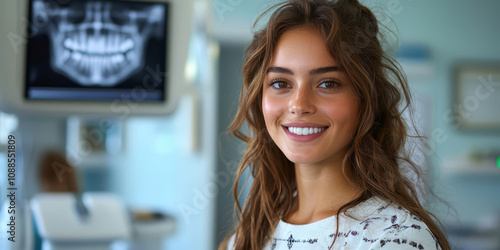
12 93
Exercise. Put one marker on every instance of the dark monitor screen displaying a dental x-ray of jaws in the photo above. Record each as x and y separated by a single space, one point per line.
101 47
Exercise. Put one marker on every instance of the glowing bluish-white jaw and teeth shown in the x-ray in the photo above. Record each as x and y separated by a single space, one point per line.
99 43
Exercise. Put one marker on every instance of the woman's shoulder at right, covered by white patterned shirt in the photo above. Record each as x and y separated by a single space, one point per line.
381 224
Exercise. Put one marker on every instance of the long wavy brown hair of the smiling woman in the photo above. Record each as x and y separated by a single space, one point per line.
377 156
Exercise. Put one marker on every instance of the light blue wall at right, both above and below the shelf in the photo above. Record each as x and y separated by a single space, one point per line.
459 31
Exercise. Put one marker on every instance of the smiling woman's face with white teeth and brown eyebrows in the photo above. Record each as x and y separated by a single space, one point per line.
309 110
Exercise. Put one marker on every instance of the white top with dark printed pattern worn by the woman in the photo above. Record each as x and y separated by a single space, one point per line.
376 224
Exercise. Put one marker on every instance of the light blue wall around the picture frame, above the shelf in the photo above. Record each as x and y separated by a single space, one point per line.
456 32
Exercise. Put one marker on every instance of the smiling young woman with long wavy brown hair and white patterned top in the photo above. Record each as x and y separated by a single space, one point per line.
326 139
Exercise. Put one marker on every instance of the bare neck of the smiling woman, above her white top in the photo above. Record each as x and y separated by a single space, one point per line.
322 189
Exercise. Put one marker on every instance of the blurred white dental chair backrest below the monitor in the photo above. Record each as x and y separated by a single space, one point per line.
92 221
